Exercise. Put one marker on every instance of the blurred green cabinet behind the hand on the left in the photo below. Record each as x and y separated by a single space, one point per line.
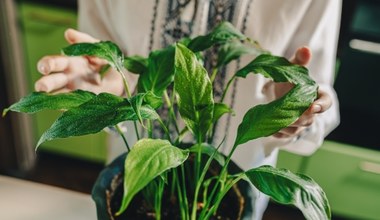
42 31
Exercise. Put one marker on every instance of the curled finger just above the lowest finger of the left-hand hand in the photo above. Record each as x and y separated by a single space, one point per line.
51 64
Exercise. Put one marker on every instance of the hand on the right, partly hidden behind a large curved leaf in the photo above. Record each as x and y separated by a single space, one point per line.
320 105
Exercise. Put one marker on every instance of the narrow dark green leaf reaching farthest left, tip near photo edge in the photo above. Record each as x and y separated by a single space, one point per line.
38 101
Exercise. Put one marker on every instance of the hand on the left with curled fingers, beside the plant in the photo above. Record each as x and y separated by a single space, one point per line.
63 73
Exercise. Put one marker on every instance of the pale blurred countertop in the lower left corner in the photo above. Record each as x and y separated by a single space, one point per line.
21 199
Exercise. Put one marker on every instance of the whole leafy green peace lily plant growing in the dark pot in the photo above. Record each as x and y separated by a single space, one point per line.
153 163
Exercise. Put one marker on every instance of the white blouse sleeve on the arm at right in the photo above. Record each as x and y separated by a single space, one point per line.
319 31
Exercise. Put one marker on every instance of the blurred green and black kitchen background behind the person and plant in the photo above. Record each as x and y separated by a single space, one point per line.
347 166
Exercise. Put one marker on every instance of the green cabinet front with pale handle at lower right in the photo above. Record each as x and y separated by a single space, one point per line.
349 175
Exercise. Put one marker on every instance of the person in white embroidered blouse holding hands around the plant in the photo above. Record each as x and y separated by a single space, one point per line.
290 28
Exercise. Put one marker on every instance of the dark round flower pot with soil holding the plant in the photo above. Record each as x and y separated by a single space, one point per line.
108 190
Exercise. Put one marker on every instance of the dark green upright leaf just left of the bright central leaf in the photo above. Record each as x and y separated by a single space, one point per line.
160 72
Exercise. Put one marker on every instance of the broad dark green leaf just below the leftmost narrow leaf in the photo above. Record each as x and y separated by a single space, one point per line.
91 117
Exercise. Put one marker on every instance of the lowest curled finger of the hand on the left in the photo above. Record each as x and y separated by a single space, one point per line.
51 82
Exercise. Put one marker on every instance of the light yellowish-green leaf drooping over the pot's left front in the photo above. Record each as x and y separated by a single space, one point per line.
148 159
